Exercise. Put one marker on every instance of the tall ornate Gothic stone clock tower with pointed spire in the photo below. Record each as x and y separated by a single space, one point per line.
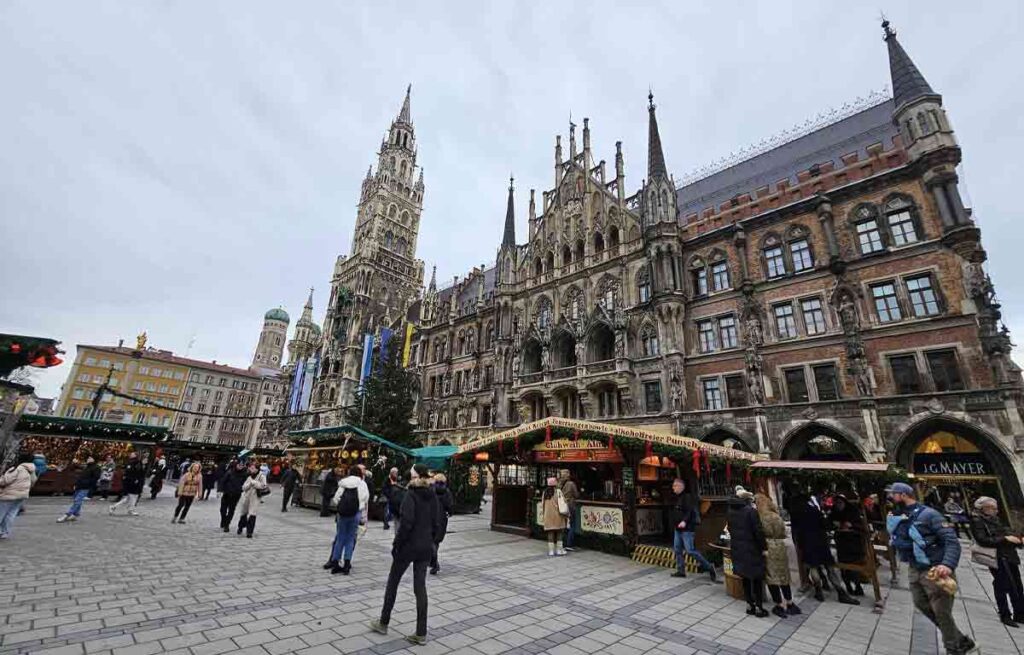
376 283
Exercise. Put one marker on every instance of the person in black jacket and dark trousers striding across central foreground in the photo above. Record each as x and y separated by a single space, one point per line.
414 545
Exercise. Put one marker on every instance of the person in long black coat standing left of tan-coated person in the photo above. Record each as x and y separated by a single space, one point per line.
749 548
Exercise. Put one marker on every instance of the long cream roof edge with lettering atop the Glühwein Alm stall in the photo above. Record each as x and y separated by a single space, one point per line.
589 429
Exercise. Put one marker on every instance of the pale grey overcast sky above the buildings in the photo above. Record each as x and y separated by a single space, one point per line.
182 167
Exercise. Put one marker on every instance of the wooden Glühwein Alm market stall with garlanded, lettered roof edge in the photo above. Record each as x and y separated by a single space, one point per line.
625 478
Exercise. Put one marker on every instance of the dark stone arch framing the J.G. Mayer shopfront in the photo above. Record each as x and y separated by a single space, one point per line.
920 427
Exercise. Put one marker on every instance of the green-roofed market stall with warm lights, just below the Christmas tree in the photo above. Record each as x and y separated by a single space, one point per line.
315 453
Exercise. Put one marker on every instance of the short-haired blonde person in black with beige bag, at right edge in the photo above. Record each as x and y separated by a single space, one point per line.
990 533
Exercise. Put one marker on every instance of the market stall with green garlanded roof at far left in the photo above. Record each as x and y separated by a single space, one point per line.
67 444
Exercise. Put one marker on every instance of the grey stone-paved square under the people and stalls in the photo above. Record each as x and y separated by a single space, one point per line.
140 586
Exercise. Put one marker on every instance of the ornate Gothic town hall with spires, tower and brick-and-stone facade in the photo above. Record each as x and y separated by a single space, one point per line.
823 299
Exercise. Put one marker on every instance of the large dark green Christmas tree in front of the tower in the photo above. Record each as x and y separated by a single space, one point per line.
385 404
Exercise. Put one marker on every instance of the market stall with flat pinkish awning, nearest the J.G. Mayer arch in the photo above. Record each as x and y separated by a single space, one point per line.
859 481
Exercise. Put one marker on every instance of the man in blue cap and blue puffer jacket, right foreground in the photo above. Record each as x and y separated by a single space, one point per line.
930 548
